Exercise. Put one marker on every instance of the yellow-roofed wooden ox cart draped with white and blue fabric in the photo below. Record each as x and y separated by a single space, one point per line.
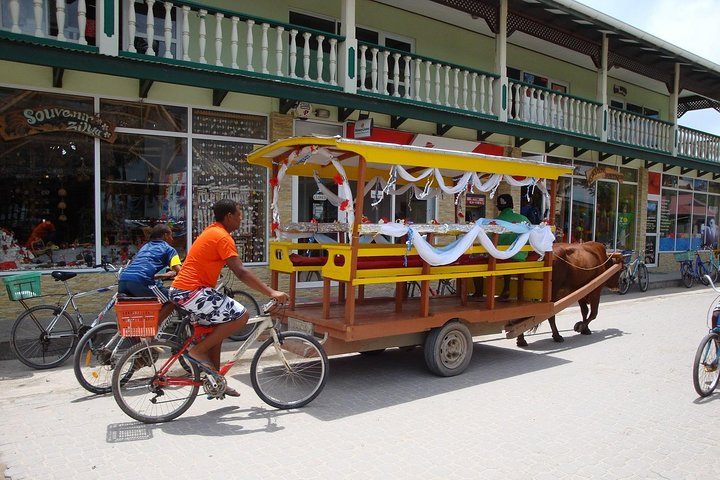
365 268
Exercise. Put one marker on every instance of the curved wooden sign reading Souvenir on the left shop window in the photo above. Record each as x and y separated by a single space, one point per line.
31 121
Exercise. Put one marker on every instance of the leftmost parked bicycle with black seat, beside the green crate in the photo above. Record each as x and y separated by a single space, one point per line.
44 336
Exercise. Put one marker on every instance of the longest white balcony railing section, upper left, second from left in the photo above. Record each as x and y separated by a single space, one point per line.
187 32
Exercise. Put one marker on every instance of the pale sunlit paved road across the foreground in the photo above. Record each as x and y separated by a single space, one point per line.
616 404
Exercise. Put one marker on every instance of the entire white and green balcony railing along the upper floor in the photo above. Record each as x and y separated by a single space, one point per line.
202 37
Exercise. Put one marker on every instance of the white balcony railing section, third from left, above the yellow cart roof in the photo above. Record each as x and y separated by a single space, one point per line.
406 75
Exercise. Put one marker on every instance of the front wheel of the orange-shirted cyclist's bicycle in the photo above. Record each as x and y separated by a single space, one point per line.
290 374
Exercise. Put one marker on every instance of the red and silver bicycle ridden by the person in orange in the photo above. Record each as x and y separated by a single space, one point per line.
152 384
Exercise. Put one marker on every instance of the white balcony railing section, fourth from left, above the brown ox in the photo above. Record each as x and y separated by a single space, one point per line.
553 109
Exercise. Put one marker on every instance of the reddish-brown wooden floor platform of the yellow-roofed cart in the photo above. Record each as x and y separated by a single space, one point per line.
377 317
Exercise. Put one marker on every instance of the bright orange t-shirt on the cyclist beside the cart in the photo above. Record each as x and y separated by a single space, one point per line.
206 258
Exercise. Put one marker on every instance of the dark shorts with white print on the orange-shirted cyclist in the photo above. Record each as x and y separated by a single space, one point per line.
210 306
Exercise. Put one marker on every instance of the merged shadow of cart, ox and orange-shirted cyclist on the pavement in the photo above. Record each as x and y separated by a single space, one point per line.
364 383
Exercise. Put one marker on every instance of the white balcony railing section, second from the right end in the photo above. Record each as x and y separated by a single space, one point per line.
639 131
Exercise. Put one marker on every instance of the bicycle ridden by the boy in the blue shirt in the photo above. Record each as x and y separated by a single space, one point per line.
98 351
